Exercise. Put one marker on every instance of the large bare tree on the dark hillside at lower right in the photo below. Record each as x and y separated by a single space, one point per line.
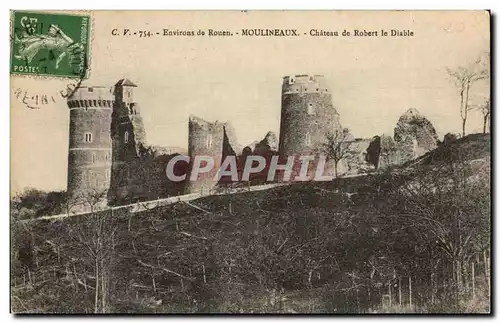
450 207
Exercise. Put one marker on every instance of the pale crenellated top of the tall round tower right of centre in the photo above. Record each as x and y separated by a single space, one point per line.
304 83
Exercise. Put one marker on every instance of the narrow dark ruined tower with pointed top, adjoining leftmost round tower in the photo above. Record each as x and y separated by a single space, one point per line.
129 141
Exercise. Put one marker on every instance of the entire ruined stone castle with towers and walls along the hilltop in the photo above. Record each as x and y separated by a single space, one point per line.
109 159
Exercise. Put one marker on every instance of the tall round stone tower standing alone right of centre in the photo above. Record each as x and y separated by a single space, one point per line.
307 114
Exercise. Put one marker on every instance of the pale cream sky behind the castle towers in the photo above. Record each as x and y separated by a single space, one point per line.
373 80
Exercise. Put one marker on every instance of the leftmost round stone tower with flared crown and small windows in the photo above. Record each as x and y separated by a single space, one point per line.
89 157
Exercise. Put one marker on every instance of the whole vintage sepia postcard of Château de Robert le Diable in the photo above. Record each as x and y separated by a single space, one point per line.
251 162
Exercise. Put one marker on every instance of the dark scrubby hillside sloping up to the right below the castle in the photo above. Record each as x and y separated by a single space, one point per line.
351 245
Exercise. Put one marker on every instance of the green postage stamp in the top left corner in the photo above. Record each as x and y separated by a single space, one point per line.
50 44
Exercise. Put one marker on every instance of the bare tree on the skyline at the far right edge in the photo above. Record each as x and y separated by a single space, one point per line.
464 78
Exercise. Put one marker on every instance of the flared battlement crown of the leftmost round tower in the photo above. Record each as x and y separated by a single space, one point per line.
92 96
